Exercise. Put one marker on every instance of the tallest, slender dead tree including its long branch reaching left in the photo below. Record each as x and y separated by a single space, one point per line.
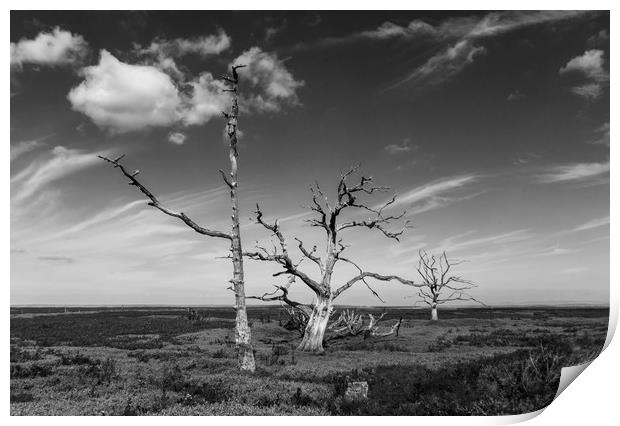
242 329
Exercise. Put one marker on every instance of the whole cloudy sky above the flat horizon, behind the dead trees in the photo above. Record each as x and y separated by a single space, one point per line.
492 128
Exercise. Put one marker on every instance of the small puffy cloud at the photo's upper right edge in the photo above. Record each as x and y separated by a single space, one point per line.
591 66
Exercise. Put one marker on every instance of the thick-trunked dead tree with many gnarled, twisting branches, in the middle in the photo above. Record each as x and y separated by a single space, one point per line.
329 219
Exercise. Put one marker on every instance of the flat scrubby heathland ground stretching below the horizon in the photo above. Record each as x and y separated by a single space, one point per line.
156 361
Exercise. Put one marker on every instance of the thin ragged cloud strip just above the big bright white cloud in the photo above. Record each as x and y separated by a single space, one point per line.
203 46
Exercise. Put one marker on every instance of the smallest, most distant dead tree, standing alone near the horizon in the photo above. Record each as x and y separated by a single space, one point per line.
439 285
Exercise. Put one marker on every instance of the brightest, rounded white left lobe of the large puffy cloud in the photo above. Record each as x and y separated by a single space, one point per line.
123 97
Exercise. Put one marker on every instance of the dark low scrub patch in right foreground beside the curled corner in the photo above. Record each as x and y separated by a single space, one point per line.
516 383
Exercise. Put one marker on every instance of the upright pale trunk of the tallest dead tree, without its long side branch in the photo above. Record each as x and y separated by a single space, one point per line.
242 329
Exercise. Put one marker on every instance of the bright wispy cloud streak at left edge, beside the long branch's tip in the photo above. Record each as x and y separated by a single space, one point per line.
62 162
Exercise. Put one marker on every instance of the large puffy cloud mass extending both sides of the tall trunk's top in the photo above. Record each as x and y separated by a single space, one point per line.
122 97
